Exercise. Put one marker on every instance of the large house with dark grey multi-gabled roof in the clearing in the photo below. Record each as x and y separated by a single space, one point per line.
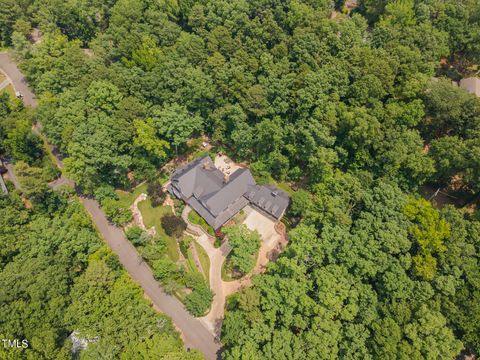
217 196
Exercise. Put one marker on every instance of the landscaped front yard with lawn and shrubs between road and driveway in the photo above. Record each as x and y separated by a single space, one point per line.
176 270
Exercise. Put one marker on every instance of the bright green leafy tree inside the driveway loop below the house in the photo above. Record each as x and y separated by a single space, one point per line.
245 244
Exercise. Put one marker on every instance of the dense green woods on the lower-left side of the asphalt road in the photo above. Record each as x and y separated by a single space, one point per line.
57 279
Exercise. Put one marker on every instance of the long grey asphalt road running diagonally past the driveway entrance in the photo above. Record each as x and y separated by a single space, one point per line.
195 334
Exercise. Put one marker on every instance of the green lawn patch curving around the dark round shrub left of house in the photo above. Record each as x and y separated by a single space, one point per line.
151 217
